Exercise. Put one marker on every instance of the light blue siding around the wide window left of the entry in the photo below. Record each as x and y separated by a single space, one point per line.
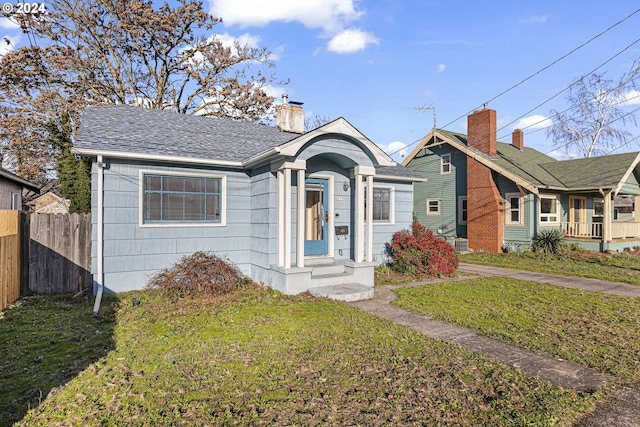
133 254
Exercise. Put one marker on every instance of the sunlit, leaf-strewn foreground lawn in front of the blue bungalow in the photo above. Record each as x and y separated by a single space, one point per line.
259 357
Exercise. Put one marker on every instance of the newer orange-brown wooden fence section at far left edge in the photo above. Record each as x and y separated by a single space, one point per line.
9 257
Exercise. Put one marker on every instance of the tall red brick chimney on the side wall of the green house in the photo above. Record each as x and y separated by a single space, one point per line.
485 210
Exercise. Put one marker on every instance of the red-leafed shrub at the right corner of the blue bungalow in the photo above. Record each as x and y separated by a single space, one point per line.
420 252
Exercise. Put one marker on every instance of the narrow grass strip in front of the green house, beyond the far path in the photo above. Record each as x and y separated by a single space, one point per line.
619 268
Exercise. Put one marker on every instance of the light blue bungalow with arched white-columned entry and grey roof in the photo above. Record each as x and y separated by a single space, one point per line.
290 209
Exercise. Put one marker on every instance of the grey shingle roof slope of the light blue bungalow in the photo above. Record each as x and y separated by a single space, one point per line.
138 130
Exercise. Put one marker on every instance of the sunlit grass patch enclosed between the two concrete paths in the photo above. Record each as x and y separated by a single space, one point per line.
596 330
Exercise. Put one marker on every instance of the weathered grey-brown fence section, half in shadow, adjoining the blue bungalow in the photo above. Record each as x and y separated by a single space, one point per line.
60 253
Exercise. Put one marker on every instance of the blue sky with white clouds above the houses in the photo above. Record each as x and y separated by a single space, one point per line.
377 62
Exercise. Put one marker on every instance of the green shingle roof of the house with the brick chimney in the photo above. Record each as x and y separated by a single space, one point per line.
545 171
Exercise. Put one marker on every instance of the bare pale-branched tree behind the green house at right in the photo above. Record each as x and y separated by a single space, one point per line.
595 123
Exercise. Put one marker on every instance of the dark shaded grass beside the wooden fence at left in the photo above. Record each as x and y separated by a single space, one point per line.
45 342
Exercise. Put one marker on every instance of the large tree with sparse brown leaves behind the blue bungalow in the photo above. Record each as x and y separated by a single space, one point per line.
93 52
